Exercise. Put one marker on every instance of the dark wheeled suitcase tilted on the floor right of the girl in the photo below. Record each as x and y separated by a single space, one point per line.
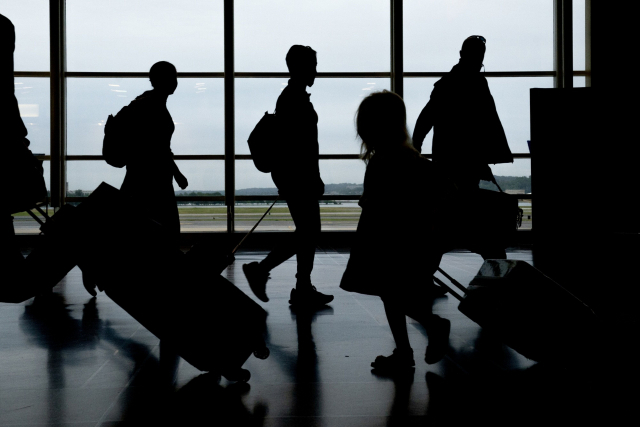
530 312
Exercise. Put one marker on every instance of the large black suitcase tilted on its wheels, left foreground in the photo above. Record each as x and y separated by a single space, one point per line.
179 298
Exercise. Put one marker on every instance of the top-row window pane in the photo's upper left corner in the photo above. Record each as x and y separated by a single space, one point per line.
31 21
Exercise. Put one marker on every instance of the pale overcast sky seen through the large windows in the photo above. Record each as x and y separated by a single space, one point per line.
349 35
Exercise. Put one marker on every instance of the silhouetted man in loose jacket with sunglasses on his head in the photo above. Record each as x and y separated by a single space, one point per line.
468 134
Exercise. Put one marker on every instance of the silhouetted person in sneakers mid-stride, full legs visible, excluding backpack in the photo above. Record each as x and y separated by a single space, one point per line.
297 176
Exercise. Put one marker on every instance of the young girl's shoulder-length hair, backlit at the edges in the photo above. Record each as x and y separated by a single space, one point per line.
381 122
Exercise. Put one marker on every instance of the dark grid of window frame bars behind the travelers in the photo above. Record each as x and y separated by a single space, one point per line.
563 74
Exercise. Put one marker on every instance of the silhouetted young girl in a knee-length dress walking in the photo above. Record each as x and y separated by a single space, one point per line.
393 262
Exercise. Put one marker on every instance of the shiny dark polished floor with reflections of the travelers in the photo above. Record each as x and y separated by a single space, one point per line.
67 359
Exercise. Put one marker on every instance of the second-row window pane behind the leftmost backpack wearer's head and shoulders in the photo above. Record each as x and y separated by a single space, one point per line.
197 108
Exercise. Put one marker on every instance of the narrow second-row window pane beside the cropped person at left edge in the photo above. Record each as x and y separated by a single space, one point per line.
35 106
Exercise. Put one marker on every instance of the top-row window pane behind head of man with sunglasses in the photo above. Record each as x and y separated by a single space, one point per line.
519 34
